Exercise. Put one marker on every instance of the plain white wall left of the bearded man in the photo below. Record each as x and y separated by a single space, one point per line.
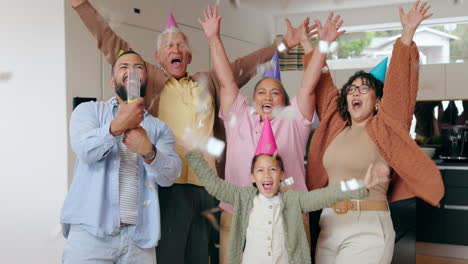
33 141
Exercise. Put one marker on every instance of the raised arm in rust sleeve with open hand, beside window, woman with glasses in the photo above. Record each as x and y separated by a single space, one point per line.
401 85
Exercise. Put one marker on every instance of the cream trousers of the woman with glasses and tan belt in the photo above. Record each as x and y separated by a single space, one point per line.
355 237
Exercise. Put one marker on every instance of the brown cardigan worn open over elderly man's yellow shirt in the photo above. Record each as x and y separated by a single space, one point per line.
109 43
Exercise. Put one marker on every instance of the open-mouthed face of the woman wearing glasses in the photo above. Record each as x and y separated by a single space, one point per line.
361 106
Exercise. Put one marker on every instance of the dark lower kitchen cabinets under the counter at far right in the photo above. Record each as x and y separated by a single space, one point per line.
447 224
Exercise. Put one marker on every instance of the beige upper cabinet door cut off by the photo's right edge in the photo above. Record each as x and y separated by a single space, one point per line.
456 81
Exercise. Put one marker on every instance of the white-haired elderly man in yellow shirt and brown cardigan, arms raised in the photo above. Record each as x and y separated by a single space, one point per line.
184 102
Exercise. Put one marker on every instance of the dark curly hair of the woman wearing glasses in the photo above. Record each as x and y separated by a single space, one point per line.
374 83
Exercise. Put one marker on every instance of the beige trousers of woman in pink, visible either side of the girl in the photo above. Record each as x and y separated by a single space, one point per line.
225 230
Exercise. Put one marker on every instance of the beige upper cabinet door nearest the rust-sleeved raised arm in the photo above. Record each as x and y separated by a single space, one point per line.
431 82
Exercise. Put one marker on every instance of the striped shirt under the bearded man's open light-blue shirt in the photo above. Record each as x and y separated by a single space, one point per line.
128 184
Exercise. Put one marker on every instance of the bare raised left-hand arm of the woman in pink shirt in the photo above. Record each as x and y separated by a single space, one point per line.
228 87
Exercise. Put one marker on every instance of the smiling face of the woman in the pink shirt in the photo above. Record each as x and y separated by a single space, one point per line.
268 95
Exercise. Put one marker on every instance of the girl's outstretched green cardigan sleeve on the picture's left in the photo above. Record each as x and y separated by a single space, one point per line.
215 186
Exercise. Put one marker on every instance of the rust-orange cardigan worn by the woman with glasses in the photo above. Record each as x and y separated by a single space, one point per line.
415 174
